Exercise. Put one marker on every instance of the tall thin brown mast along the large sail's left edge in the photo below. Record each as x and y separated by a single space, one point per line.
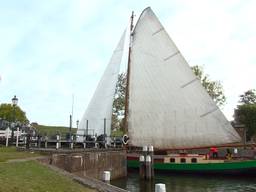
128 77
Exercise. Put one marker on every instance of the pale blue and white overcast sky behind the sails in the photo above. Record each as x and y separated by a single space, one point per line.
53 49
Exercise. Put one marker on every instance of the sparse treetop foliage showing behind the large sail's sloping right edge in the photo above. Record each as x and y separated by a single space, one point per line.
214 88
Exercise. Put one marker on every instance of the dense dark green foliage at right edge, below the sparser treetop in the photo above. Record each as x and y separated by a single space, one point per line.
246 114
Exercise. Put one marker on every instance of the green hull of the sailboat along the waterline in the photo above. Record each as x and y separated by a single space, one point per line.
248 166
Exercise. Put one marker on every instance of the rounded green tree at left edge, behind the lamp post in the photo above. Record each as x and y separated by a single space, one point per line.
12 113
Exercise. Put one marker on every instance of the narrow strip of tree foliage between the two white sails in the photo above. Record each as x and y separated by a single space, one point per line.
119 103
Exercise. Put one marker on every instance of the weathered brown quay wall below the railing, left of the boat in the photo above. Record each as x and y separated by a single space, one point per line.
92 163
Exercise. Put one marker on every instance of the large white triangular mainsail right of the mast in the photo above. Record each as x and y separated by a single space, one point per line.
168 107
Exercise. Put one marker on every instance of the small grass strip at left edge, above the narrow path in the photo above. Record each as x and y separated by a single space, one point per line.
8 153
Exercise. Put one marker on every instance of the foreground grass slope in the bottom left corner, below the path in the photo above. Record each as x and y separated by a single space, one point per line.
31 176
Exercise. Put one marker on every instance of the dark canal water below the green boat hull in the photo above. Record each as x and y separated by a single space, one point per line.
188 183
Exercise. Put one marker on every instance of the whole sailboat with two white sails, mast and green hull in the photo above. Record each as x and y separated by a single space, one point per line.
166 105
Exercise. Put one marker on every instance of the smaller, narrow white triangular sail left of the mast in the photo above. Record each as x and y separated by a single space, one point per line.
100 106
